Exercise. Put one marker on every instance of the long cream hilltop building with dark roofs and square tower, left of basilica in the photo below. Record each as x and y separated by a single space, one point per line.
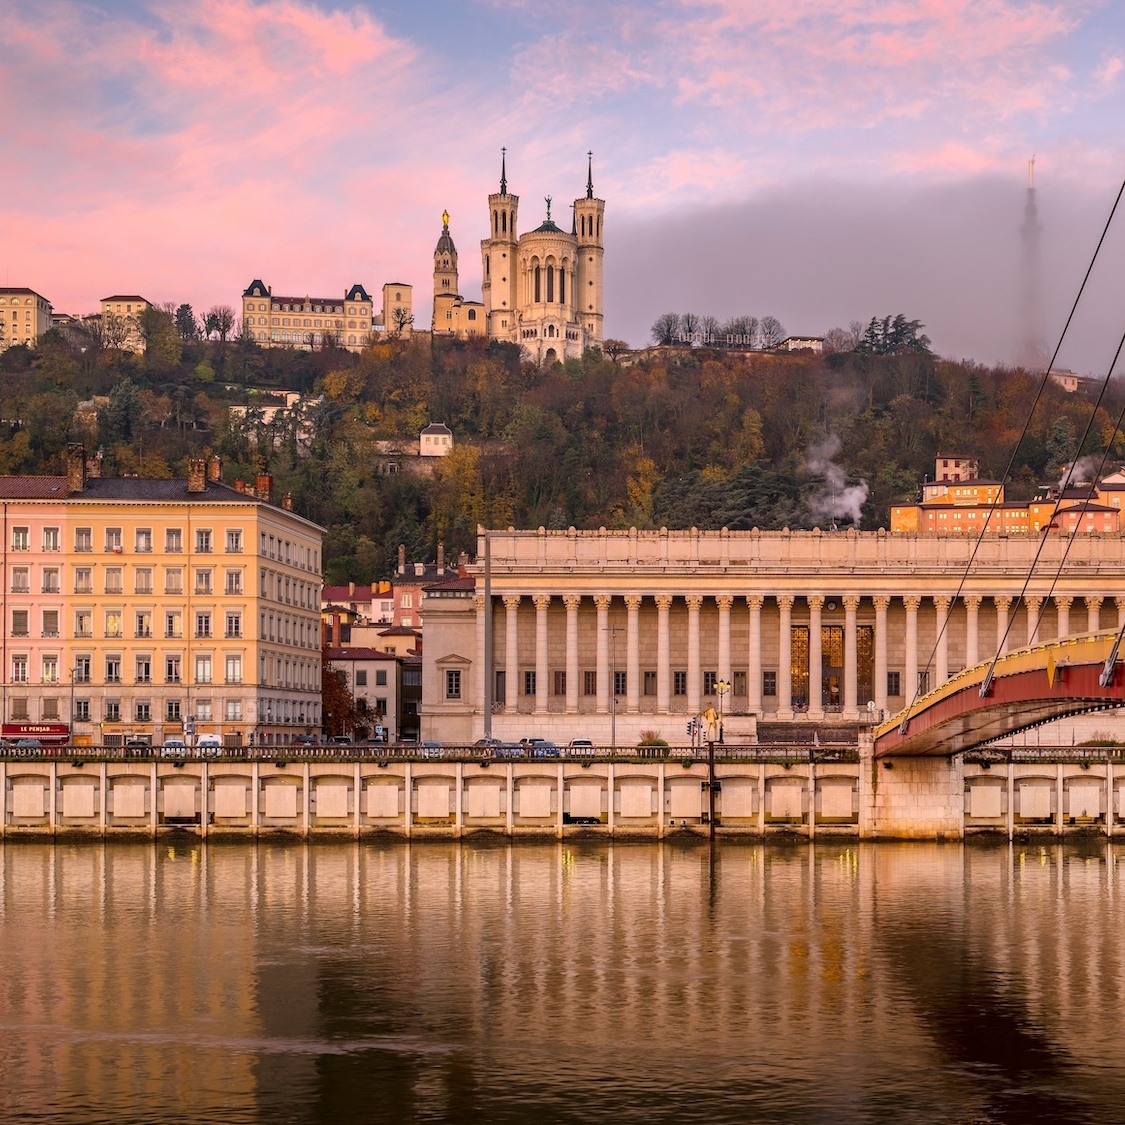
308 322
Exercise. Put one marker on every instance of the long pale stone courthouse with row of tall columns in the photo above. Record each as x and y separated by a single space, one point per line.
610 635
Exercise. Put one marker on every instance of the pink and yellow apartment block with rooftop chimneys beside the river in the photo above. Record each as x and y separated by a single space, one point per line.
140 610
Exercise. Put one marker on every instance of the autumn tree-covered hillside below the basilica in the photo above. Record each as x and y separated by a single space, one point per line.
678 437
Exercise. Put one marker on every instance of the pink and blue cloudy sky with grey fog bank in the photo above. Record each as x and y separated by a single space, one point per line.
853 158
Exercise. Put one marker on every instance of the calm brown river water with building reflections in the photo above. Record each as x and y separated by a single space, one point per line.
561 983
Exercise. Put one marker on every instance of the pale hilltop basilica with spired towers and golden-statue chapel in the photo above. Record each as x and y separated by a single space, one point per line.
542 291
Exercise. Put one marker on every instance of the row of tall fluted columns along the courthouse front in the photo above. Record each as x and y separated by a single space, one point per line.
865 610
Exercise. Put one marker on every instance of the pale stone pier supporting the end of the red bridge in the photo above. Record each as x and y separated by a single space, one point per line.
911 798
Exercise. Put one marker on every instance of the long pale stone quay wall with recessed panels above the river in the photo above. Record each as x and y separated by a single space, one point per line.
770 795
